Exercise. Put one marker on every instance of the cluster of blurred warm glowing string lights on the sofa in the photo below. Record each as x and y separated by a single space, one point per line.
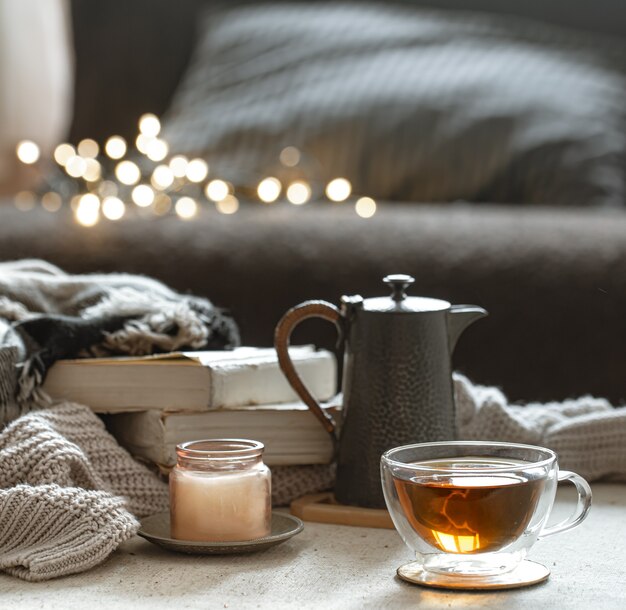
99 181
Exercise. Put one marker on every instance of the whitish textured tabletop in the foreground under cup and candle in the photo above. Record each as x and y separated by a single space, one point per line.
332 566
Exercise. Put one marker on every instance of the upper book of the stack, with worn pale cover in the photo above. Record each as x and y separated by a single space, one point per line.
190 381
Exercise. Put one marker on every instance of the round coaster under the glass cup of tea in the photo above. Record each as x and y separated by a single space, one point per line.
525 574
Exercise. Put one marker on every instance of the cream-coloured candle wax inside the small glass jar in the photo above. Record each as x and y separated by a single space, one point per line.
220 506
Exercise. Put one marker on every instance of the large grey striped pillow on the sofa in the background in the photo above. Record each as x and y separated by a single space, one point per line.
408 103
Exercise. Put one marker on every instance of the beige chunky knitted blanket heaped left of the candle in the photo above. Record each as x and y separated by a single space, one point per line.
68 493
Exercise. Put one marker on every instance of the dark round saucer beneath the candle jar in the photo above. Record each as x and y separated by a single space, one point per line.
156 529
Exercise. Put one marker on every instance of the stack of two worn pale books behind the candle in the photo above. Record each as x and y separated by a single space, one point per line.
153 403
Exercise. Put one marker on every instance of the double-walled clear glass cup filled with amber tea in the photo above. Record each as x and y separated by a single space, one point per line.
473 508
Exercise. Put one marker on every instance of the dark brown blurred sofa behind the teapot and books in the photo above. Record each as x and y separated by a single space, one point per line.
553 279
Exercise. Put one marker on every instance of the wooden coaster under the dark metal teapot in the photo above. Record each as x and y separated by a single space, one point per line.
323 508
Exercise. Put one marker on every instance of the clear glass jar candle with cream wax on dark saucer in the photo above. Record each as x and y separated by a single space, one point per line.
220 491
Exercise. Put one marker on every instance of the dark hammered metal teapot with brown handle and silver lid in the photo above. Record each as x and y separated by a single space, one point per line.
397 378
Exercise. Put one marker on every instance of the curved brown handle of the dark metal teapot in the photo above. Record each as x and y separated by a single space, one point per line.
282 335
